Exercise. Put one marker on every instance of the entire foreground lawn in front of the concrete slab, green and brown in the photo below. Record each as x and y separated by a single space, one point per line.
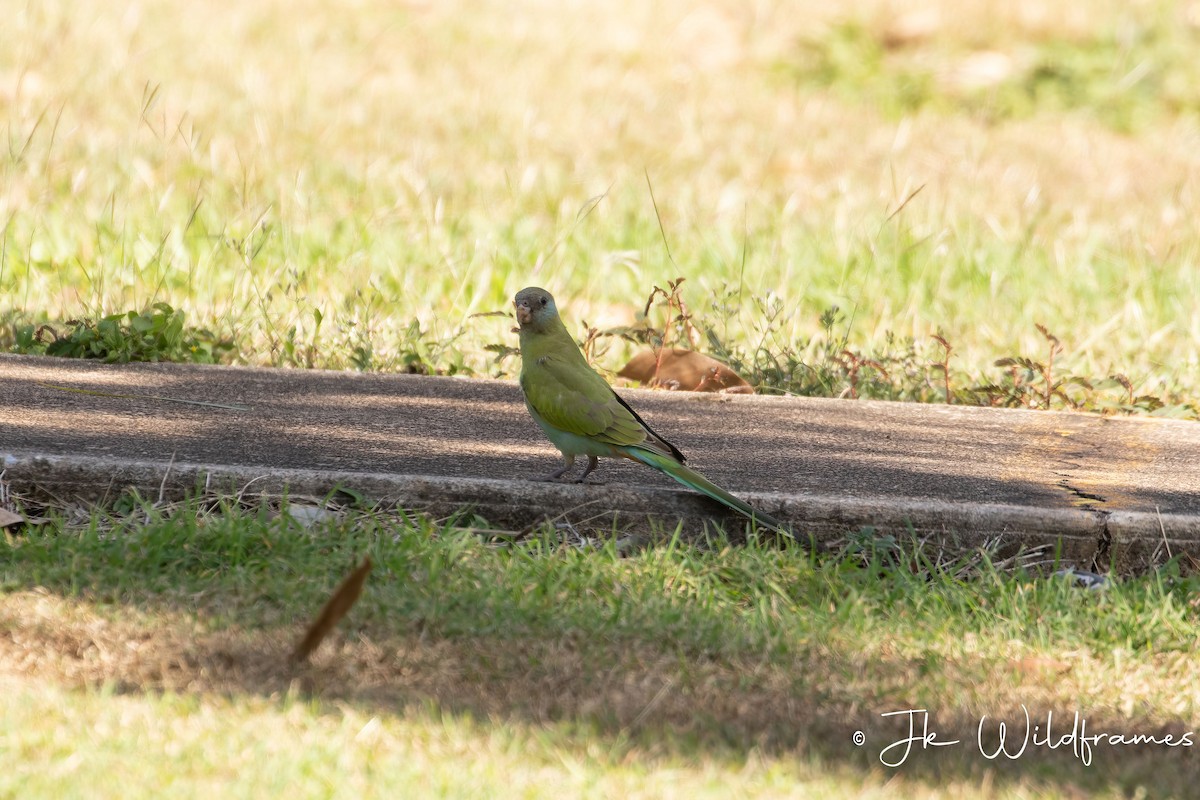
533 667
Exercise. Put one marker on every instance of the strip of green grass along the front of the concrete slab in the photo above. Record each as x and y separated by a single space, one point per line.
718 599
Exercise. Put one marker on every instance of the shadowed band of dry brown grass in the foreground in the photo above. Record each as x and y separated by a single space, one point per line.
639 705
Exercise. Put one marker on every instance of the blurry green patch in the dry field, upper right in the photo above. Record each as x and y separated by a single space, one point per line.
1127 73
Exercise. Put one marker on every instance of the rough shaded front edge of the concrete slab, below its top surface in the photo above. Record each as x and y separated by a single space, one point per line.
1126 542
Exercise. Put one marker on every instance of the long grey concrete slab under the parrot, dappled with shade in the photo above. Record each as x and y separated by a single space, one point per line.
1108 491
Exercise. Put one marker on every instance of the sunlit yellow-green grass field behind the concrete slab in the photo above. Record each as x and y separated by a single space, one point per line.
347 191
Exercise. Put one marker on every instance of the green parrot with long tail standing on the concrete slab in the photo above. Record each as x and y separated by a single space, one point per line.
584 417
